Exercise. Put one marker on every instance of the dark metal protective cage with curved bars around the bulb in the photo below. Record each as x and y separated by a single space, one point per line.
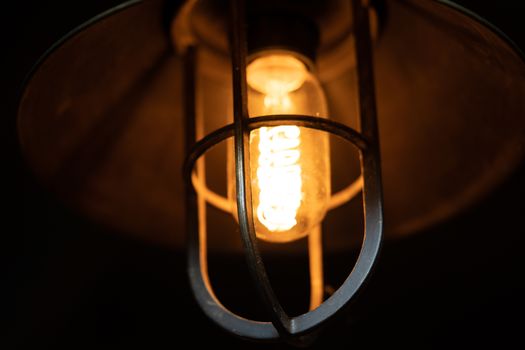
294 330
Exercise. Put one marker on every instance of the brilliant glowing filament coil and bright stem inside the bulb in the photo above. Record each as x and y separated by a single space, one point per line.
278 165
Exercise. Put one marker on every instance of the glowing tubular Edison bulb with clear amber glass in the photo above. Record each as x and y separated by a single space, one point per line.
290 167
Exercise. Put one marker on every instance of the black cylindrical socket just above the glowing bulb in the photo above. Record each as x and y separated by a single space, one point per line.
282 32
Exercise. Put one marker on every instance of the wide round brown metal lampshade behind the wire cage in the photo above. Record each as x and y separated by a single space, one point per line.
100 119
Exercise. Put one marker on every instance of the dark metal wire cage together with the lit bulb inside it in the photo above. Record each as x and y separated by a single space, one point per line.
280 176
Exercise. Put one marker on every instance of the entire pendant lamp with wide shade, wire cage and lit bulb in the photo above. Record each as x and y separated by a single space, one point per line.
142 94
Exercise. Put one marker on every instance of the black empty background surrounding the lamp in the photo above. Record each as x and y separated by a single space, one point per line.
71 284
